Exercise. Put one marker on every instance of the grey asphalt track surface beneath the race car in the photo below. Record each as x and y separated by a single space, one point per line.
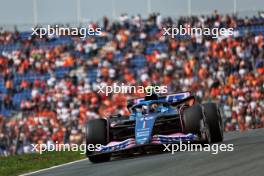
247 159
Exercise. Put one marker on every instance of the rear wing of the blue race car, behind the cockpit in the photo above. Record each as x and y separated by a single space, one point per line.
173 99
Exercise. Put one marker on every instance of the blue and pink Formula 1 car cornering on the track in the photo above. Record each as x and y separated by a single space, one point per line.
154 120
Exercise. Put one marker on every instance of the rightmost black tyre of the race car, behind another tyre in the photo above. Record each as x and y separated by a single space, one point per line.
214 121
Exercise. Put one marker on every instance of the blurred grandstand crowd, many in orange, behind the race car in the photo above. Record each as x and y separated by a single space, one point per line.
60 81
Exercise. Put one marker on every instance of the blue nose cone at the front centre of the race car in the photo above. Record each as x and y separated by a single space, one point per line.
143 130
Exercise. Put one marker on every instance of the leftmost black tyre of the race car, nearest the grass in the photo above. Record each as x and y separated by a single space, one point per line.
97 133
